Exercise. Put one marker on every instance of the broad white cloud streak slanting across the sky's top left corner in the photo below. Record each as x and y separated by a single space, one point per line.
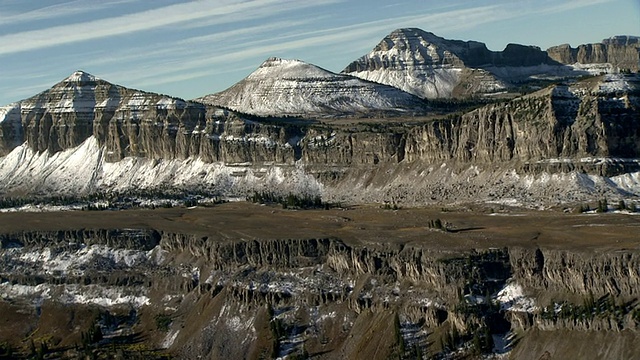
146 20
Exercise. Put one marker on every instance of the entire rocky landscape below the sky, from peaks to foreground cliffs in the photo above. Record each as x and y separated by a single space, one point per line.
421 120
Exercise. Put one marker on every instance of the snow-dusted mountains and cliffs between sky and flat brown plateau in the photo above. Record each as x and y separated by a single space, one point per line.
474 123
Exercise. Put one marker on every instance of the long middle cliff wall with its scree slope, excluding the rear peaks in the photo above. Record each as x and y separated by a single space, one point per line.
587 127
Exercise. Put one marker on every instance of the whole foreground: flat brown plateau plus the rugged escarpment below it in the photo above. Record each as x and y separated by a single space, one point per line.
243 280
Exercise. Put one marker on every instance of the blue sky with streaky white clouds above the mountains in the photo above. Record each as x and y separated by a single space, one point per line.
192 48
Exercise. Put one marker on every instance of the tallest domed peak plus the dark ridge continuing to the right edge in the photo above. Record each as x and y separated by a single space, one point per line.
430 66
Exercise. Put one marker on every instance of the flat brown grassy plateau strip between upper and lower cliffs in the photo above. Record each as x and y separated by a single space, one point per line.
467 227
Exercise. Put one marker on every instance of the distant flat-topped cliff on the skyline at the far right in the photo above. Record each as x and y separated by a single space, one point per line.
621 51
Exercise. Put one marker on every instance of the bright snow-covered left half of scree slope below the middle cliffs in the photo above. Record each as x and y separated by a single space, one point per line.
83 170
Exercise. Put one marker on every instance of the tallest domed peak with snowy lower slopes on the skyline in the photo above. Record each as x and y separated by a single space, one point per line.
426 65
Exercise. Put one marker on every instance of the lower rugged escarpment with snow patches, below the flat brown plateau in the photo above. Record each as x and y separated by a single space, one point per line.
321 296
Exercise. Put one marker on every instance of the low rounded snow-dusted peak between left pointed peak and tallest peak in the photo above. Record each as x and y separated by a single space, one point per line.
282 87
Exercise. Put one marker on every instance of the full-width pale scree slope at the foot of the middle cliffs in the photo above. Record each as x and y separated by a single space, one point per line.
83 170
